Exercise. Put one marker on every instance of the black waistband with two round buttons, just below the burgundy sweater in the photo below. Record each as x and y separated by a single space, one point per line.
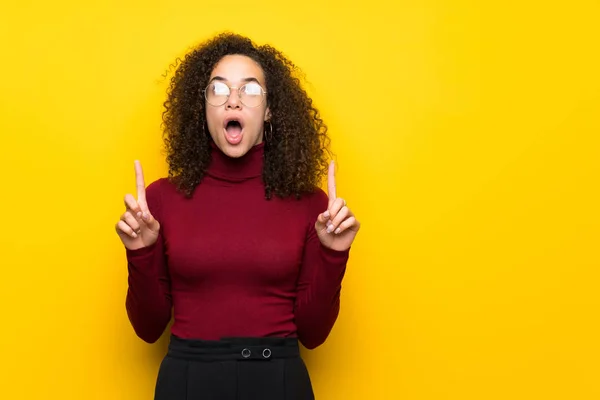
233 348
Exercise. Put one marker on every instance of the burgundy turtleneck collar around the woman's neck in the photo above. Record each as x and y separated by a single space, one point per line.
247 167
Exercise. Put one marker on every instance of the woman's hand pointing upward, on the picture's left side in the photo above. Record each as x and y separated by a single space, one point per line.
137 227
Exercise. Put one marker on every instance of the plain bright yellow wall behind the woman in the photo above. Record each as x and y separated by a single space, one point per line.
467 136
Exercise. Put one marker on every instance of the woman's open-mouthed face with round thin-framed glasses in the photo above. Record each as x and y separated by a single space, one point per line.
237 124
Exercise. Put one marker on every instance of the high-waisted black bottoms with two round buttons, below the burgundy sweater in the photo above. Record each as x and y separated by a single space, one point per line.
233 369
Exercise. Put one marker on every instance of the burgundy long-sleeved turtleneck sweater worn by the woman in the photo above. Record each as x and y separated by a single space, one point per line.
230 263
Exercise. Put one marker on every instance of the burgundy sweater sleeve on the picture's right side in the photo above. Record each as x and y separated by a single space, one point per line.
319 283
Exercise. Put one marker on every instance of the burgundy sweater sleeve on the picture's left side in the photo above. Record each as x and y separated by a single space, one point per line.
148 300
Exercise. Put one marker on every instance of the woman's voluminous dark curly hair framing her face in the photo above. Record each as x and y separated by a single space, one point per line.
296 154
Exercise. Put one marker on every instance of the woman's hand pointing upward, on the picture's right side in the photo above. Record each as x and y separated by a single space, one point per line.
337 226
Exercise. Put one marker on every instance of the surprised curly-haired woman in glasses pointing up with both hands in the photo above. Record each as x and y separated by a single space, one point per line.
239 241
